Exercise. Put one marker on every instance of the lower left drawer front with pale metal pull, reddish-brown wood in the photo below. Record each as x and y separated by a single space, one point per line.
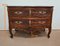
19 23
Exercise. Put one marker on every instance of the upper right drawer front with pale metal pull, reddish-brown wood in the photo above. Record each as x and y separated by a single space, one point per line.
40 12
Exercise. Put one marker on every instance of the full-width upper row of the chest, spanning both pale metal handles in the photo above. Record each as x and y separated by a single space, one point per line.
33 12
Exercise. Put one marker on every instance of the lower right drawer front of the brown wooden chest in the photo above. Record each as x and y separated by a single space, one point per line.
43 22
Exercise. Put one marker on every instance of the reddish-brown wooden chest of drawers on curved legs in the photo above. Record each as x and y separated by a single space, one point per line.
21 17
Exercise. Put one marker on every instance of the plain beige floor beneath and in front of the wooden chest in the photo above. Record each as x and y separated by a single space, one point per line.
54 40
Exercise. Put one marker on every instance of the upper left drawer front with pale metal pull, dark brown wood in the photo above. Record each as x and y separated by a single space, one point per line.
18 12
